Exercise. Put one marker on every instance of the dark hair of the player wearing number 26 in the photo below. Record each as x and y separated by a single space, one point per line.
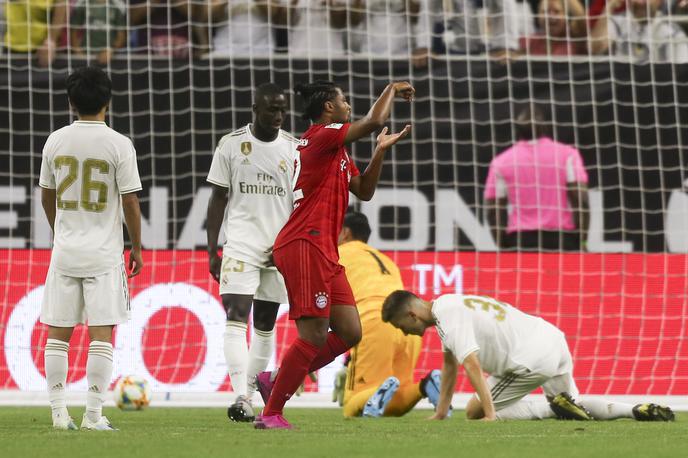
89 90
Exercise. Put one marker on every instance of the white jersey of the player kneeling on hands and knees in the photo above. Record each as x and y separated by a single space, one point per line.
507 340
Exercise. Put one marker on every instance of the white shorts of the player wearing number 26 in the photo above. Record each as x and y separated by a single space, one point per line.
98 301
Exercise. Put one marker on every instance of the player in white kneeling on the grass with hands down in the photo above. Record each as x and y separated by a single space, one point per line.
520 352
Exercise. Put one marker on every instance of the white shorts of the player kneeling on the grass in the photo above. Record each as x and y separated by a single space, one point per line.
510 388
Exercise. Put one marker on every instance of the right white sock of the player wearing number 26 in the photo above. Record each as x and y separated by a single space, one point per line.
99 375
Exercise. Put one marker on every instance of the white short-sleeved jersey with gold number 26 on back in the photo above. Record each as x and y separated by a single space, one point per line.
90 166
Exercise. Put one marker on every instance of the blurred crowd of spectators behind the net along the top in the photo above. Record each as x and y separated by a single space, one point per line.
639 30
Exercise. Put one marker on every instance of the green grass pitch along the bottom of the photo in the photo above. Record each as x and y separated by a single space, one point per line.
26 432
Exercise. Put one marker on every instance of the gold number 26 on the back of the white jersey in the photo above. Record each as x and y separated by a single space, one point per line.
88 184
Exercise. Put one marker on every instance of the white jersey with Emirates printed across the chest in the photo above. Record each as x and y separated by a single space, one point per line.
259 178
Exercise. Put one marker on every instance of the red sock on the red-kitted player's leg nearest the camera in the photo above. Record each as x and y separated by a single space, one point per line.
294 369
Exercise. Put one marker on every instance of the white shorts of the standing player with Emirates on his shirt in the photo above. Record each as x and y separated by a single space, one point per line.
239 277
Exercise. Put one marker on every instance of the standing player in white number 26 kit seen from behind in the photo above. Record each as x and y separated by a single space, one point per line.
89 178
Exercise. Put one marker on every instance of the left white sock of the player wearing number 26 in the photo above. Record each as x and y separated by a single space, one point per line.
56 367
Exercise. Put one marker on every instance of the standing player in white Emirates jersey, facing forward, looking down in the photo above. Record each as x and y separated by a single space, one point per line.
251 175
